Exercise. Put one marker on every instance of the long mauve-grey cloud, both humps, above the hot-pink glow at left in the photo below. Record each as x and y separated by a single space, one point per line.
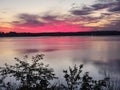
36 20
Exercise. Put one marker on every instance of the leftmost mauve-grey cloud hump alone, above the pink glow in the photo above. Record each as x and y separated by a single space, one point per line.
28 20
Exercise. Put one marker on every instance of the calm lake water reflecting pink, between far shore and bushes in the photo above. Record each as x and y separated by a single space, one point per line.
98 54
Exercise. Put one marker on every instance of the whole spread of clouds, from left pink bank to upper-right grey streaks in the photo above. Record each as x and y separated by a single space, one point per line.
101 15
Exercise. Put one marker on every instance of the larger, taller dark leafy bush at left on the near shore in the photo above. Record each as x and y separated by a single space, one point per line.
34 74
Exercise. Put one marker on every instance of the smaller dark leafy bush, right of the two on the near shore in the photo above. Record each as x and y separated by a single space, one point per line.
75 80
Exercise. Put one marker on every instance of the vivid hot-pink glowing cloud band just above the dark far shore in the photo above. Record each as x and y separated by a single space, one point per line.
55 27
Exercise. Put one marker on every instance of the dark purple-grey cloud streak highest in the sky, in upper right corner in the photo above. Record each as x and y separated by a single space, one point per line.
112 6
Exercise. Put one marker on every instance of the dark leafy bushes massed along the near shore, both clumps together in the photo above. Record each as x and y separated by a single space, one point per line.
35 75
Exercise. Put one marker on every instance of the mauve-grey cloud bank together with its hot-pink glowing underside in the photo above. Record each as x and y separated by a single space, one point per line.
46 23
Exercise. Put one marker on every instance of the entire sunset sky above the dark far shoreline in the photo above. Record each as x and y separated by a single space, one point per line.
37 16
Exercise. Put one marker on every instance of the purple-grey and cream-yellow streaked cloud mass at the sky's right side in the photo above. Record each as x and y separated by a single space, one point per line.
109 11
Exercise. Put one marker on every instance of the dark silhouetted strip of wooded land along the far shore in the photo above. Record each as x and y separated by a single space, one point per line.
90 33
